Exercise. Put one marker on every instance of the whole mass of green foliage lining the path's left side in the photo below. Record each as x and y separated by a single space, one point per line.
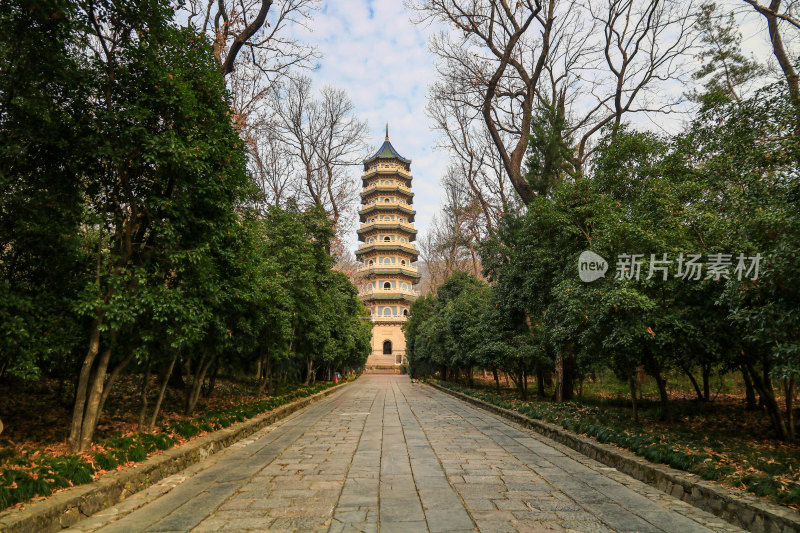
127 213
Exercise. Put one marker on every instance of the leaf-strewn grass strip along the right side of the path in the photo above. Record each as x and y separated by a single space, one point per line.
717 441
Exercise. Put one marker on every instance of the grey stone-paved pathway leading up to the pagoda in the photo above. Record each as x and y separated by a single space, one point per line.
389 455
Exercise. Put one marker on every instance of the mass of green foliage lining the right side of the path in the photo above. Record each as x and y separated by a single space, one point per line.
728 184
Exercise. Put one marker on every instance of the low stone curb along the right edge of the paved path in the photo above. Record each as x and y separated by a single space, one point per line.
739 508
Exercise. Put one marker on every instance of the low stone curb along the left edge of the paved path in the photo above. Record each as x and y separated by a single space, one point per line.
70 506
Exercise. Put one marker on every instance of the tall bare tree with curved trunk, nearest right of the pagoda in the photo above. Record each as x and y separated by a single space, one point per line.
492 61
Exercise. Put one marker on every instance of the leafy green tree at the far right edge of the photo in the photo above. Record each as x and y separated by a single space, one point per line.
743 161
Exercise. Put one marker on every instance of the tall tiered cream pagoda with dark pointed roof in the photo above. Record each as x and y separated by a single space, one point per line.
387 275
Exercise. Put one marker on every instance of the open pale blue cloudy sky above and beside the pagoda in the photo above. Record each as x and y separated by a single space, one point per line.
371 49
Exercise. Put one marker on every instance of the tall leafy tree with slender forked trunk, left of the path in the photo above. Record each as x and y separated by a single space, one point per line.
166 169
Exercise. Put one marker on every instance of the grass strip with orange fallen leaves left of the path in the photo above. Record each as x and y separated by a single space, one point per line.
31 472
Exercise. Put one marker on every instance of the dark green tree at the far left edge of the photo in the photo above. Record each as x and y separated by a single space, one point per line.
44 141
